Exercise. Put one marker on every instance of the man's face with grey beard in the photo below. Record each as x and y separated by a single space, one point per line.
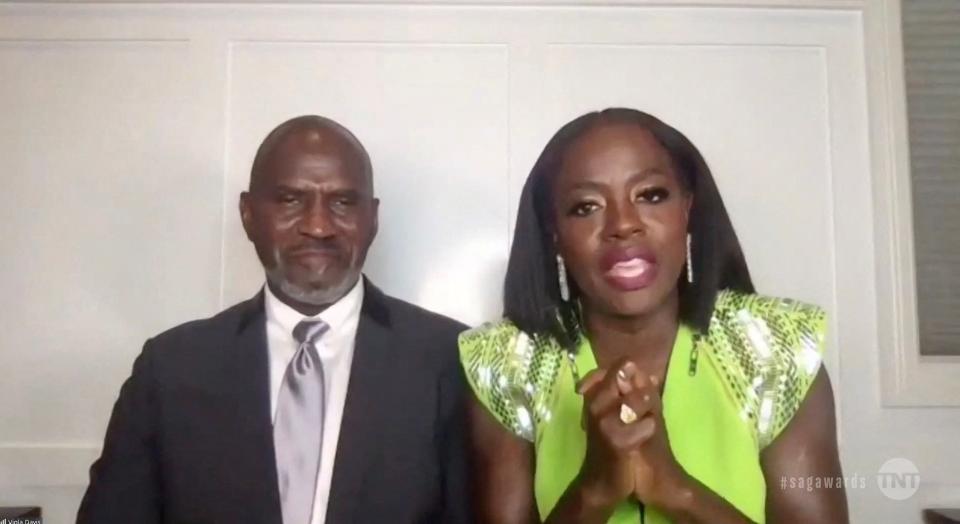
311 215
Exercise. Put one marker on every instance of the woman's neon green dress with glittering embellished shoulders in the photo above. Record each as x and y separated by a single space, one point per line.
728 393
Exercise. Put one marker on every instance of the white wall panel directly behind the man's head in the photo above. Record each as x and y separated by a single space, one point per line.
434 120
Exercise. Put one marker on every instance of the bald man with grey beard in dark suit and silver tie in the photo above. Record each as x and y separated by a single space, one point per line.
319 400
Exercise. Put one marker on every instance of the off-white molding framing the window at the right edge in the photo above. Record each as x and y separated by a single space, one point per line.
906 377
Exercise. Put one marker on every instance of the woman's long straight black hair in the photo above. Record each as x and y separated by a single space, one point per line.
531 294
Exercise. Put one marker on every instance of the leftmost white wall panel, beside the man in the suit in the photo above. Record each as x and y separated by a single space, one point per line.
102 197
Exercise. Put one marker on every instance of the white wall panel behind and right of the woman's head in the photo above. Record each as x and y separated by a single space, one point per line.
757 113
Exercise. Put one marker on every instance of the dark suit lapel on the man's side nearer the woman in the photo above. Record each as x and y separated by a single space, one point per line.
361 429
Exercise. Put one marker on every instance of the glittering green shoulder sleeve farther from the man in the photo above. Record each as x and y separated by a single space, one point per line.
768 351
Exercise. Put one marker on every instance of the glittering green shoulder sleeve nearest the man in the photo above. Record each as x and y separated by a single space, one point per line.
512 374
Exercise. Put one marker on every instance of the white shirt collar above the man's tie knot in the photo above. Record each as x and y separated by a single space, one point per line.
342 316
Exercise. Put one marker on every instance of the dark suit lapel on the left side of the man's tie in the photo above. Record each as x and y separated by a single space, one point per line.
250 378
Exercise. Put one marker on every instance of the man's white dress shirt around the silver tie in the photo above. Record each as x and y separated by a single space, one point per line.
336 351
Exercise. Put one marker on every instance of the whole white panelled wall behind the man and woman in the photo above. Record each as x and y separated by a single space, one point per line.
128 131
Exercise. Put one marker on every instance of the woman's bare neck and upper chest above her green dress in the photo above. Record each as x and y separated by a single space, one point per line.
647 339
